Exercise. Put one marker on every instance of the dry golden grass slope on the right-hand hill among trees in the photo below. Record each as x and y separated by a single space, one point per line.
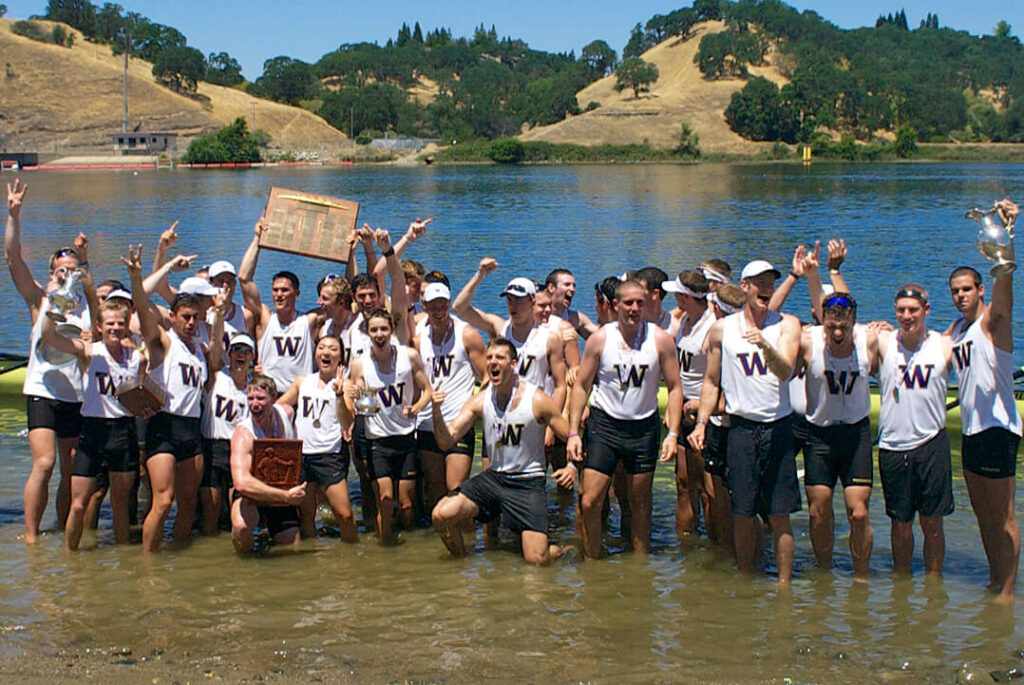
681 95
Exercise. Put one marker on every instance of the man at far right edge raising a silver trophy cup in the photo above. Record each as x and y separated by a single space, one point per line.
983 347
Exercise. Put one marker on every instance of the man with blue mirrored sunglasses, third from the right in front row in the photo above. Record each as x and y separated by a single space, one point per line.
839 357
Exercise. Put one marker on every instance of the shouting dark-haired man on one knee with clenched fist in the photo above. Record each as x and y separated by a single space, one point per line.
515 415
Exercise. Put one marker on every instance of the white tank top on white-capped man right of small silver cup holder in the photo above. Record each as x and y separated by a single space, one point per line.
448 363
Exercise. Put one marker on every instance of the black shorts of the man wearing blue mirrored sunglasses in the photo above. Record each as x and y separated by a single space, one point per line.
840 453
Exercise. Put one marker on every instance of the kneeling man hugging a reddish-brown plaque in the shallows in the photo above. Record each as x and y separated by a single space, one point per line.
251 496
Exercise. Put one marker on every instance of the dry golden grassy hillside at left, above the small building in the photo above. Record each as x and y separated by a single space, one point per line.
70 101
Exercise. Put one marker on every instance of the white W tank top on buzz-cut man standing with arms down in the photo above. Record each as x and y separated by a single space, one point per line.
627 378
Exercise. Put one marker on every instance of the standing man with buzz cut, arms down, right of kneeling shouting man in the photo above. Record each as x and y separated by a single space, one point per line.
626 360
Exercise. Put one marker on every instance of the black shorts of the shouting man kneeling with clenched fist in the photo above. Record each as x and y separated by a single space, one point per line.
521 502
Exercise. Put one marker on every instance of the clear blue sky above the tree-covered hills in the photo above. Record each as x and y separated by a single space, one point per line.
253 31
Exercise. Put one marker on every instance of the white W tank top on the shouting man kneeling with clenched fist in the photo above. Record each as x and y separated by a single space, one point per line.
515 439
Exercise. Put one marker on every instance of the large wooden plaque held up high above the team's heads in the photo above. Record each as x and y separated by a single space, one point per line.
309 225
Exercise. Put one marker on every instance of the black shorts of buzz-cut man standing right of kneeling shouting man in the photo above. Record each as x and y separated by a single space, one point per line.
610 441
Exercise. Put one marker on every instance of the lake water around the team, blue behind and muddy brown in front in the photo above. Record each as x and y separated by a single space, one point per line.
364 614
